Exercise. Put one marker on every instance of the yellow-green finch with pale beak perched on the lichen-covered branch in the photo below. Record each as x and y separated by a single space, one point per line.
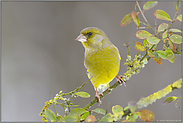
102 59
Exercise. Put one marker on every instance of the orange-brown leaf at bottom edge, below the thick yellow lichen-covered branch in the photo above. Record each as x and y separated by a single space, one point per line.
146 115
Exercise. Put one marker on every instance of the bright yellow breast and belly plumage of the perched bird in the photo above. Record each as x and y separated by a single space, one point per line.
102 68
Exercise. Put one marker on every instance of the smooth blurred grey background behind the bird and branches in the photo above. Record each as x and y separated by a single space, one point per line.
40 56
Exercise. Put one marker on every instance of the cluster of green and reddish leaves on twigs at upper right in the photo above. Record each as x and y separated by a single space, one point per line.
164 33
